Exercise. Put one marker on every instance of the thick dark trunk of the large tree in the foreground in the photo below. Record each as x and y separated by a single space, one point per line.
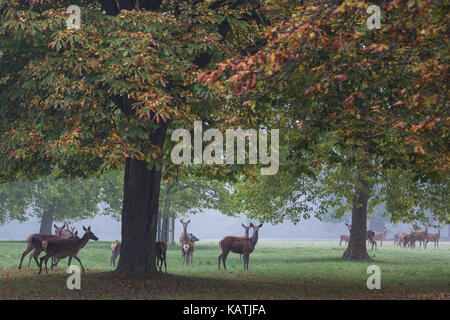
140 213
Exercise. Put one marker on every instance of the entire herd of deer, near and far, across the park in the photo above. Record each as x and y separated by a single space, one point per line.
66 243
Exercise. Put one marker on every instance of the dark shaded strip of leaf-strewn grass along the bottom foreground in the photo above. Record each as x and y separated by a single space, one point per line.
229 285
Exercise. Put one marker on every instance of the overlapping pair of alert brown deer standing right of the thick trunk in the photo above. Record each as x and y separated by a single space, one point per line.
241 245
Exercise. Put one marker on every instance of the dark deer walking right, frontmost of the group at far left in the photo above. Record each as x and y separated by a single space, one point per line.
61 248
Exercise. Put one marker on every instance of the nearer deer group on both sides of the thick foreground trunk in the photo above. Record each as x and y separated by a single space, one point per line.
66 243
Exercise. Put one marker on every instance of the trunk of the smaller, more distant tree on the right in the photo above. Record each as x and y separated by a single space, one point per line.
356 249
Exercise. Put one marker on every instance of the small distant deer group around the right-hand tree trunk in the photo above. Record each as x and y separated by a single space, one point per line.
405 240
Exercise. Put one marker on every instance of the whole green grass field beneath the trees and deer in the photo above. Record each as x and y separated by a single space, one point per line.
279 269
